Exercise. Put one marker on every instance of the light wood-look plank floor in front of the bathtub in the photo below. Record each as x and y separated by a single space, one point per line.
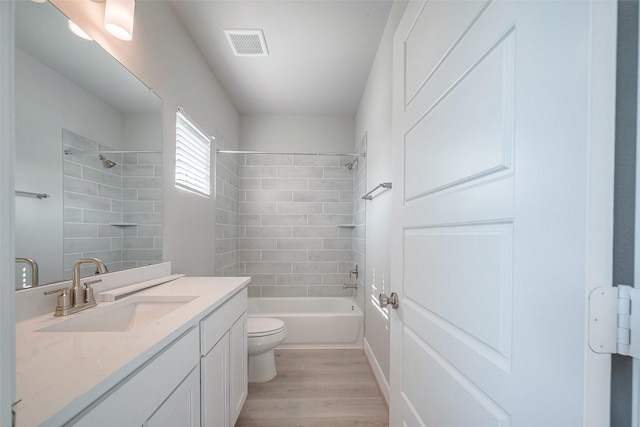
316 388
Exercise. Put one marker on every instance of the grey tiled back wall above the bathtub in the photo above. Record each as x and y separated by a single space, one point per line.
296 224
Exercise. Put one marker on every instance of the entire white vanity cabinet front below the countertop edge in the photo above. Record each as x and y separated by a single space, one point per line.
198 380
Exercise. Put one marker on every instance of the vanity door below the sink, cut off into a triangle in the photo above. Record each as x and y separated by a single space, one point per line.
182 408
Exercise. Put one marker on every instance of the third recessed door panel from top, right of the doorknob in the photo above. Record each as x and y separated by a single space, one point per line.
470 265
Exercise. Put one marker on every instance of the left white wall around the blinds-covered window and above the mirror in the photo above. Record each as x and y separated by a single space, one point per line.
163 56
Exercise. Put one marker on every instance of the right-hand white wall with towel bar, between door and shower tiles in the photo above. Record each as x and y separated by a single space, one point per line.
374 118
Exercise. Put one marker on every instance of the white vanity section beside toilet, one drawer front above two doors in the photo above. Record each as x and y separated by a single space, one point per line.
224 363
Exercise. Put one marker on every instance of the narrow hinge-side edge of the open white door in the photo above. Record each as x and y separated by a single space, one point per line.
603 70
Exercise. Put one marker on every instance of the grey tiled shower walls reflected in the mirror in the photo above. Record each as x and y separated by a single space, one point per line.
101 204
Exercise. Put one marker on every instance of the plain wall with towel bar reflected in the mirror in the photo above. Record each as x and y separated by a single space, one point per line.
39 122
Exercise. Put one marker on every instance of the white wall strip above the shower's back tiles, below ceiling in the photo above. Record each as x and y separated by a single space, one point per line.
297 133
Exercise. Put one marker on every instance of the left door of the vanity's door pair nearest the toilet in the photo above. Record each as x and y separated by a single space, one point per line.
214 369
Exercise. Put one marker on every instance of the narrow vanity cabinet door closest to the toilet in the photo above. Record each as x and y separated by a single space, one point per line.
238 369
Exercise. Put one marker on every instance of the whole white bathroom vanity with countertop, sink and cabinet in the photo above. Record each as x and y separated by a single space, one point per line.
179 360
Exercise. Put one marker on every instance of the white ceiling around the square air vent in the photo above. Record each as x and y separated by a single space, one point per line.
320 51
